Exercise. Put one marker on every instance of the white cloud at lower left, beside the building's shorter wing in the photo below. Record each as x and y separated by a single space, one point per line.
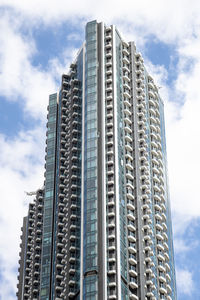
21 169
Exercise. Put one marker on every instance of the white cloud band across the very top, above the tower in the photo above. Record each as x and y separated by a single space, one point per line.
157 17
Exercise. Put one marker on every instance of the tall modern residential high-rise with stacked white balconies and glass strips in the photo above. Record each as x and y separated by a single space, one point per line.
101 226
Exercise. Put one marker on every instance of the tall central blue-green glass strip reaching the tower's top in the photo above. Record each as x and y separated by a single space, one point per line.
90 164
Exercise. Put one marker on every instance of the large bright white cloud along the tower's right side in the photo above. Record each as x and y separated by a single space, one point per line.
184 143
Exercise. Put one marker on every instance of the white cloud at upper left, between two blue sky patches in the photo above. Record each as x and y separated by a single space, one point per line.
18 77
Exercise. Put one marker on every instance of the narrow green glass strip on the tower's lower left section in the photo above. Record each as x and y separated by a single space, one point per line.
46 270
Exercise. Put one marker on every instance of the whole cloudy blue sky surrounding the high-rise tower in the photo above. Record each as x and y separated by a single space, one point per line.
38 39
